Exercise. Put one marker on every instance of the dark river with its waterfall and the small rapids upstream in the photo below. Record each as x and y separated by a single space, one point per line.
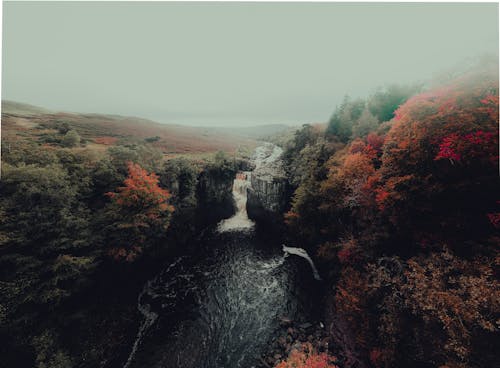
222 306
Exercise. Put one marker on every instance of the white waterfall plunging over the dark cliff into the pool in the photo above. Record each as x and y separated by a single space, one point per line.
240 220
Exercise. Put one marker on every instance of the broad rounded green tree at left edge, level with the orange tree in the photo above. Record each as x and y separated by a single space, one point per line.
42 208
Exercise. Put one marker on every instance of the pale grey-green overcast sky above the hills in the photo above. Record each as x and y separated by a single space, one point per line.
229 63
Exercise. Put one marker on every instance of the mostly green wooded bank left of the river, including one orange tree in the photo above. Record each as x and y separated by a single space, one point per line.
81 224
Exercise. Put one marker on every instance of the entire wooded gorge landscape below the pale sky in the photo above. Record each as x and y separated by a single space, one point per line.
367 241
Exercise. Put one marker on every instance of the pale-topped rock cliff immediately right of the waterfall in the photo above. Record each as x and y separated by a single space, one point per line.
268 195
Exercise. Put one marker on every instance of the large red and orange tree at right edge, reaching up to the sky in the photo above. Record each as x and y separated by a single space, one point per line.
440 160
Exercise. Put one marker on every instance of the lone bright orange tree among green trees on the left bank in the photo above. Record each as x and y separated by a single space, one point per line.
140 211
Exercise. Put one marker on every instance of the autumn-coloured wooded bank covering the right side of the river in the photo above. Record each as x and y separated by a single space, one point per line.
398 199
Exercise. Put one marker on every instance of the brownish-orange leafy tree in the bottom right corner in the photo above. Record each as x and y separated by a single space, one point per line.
455 296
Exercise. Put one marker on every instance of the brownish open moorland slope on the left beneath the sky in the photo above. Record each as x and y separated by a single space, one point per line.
23 121
